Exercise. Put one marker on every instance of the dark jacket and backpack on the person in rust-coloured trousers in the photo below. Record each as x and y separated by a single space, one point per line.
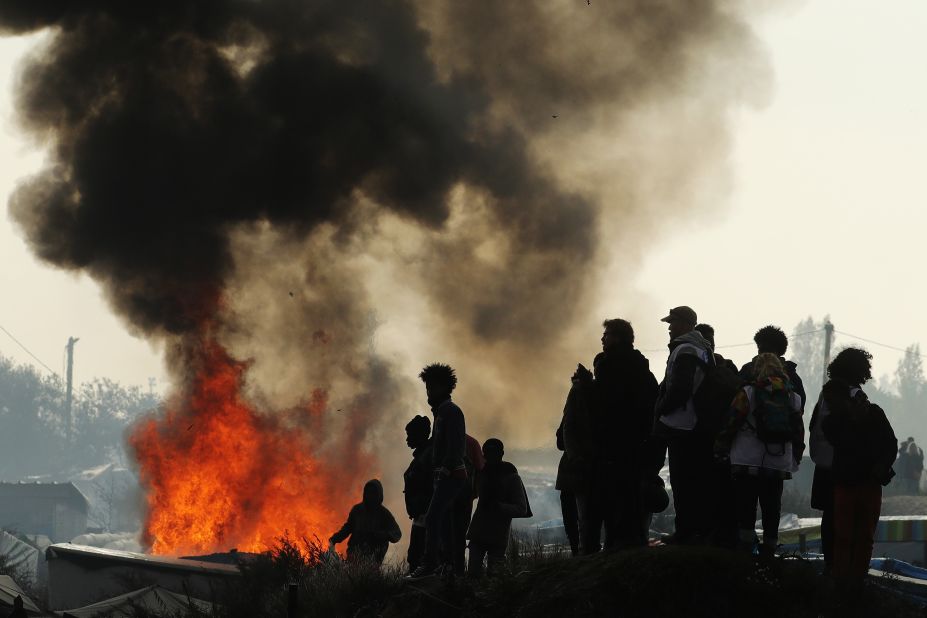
864 442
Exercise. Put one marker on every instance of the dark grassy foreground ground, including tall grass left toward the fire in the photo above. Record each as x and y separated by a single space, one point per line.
689 582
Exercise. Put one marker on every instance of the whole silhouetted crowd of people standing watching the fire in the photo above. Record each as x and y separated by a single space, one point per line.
731 437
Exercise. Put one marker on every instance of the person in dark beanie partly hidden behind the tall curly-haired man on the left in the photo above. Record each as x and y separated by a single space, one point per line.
419 484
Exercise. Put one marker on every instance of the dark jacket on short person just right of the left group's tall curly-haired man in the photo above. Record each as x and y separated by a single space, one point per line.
502 497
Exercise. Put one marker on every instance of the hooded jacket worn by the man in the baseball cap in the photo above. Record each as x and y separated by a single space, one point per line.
684 374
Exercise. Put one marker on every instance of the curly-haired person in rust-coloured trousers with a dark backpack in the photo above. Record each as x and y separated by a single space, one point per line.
863 447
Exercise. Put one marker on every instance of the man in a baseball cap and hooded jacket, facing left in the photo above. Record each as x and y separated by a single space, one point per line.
690 452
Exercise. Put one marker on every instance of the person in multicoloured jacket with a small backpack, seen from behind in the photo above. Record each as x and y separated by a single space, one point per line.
764 442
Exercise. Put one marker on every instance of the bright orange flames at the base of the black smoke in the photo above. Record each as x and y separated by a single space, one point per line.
219 474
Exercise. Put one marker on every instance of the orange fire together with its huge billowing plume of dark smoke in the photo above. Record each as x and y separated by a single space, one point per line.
196 147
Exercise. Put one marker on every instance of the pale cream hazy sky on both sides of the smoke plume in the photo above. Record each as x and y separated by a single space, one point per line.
825 216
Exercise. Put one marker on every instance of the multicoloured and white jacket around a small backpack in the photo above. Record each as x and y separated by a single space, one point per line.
738 438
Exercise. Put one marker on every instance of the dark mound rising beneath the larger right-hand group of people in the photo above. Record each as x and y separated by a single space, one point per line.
689 582
